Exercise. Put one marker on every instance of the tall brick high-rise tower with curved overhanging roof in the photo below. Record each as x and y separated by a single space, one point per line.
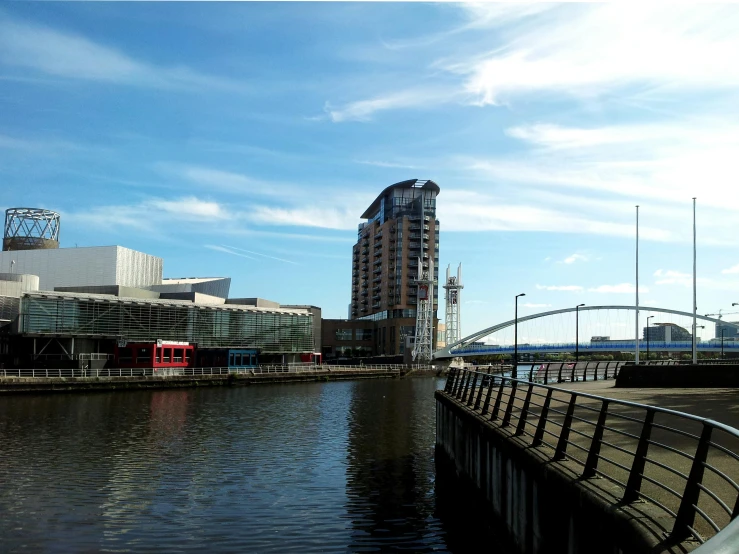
401 231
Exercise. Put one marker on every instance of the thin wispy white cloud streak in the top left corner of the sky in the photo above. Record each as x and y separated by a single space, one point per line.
72 56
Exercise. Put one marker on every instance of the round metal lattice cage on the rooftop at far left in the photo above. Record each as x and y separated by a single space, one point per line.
30 229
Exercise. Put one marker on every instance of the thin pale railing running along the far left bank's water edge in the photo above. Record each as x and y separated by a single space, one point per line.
189 371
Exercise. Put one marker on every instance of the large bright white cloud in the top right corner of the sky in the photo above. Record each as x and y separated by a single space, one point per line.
581 51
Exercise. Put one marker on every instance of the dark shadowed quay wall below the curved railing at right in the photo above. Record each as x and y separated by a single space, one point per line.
544 506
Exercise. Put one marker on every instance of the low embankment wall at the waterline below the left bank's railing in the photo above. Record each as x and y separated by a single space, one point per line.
18 385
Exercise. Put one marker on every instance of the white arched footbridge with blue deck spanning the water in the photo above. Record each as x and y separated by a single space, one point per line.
474 345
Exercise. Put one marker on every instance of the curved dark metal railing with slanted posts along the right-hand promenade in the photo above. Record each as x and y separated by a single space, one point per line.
683 465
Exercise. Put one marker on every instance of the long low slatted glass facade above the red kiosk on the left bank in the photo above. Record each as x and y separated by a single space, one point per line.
271 330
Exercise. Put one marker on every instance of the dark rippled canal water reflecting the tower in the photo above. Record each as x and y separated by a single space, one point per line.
318 467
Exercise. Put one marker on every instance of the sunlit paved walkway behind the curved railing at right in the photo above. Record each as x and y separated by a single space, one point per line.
721 405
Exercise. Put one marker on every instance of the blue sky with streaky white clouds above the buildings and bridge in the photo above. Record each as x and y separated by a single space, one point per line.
246 139
